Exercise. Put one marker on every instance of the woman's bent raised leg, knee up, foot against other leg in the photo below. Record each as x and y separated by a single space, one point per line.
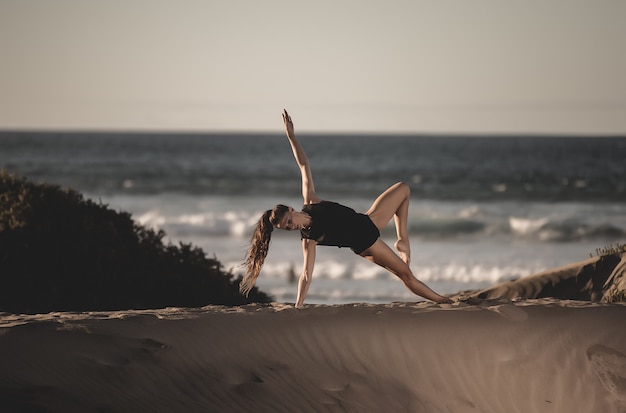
394 203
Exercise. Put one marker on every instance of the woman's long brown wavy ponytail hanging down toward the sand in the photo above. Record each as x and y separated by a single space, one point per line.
259 246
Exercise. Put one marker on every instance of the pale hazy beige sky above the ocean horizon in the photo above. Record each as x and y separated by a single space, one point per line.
441 66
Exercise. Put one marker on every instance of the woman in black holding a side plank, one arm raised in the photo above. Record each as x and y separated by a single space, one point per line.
328 223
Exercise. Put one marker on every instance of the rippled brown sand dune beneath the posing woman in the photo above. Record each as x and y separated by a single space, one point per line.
491 351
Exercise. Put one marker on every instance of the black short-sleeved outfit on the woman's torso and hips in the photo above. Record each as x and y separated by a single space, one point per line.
337 225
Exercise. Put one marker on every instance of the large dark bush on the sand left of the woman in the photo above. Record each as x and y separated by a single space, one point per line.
60 251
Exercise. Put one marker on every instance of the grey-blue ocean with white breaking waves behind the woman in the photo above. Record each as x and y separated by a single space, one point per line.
483 209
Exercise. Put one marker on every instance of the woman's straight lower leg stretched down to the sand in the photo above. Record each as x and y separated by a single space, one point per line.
381 254
